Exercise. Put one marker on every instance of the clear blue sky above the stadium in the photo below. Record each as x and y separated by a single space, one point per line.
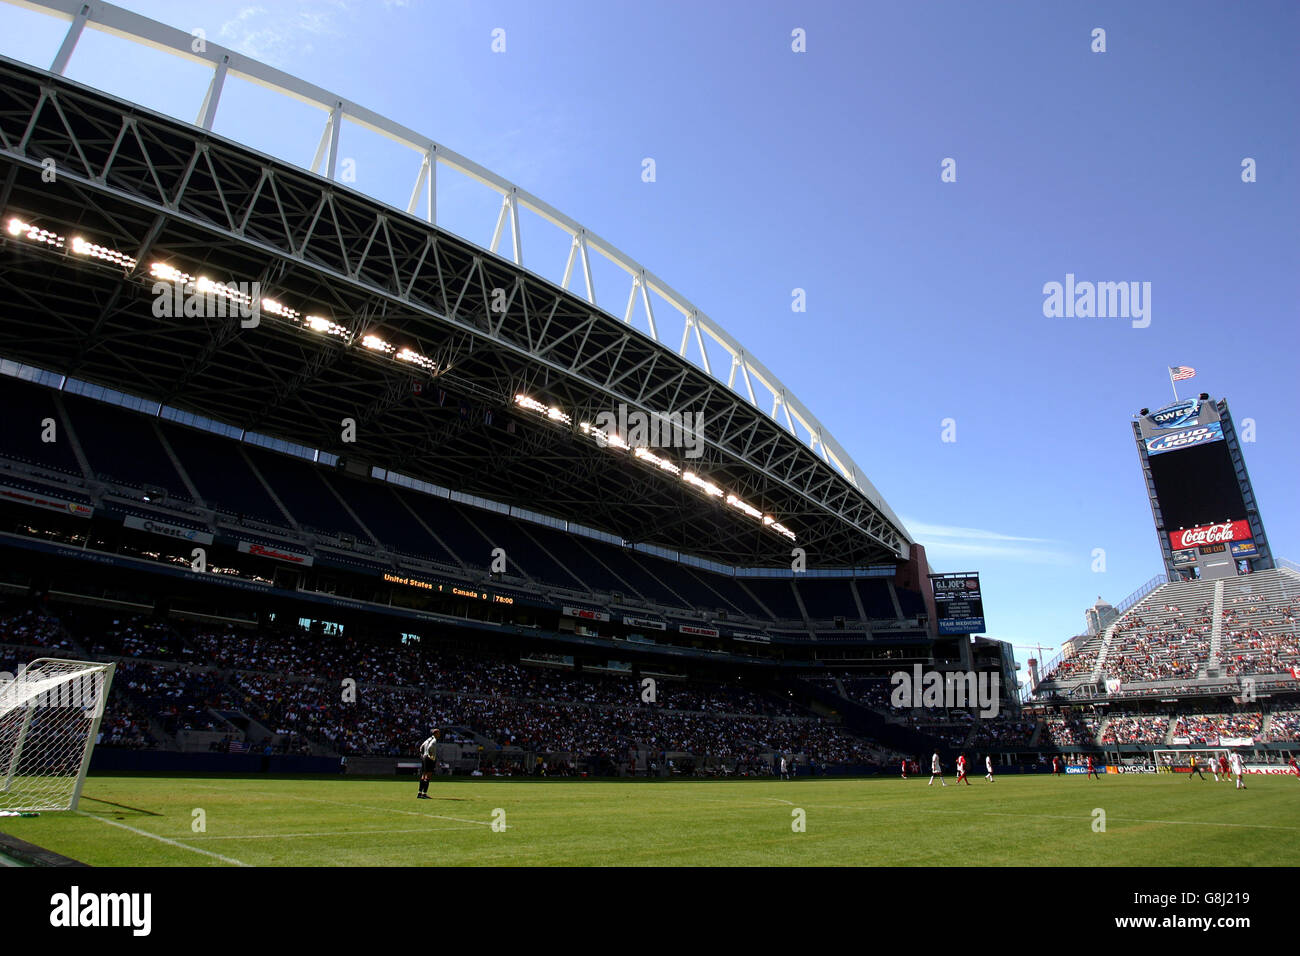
821 171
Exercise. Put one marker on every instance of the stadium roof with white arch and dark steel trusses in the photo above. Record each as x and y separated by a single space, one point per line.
457 365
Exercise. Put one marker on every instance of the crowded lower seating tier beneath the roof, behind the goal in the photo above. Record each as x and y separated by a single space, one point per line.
193 678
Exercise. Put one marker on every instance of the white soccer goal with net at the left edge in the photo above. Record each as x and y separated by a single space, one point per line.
50 717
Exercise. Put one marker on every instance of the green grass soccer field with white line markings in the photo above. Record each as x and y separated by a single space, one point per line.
1151 821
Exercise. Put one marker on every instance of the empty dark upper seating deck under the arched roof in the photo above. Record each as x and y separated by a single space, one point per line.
276 499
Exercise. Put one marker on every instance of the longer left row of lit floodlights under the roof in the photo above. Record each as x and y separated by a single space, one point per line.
206 287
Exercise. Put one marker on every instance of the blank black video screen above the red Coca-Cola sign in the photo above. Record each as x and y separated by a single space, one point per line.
1198 486
